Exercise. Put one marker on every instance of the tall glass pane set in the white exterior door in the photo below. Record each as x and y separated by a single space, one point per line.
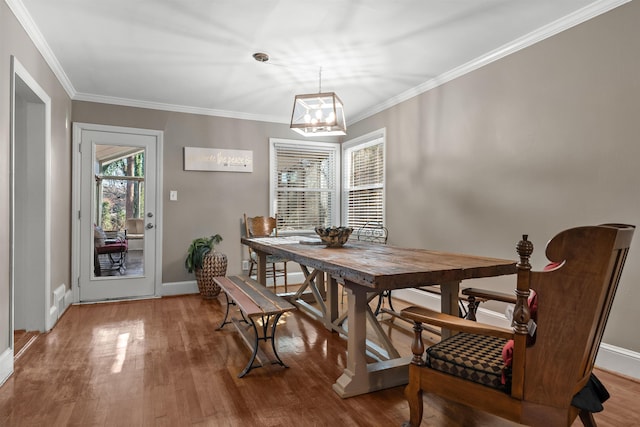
119 209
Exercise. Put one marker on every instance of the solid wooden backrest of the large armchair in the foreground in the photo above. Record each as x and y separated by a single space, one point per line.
574 301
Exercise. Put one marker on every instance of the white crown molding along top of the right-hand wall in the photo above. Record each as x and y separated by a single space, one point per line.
578 17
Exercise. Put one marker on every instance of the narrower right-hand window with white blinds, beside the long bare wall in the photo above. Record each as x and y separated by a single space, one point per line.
363 180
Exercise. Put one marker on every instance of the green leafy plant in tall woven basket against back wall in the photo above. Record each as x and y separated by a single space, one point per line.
207 264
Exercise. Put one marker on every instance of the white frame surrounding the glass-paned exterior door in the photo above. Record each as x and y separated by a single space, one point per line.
78 128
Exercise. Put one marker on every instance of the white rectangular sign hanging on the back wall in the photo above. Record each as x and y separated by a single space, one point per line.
216 159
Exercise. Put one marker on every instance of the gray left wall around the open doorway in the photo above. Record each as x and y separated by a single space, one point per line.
14 41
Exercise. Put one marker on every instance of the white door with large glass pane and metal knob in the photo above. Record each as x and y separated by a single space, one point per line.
118 217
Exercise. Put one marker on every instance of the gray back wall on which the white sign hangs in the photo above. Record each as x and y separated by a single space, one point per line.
208 202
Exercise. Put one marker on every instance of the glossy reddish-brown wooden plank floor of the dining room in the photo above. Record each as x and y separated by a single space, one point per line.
161 362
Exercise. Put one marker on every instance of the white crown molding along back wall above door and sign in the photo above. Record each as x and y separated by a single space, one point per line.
175 108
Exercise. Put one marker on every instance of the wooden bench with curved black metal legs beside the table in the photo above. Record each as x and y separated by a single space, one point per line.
257 304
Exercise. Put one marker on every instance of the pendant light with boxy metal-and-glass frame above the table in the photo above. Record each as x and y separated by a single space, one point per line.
318 114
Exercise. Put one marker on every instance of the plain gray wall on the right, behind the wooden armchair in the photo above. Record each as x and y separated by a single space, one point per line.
542 140
